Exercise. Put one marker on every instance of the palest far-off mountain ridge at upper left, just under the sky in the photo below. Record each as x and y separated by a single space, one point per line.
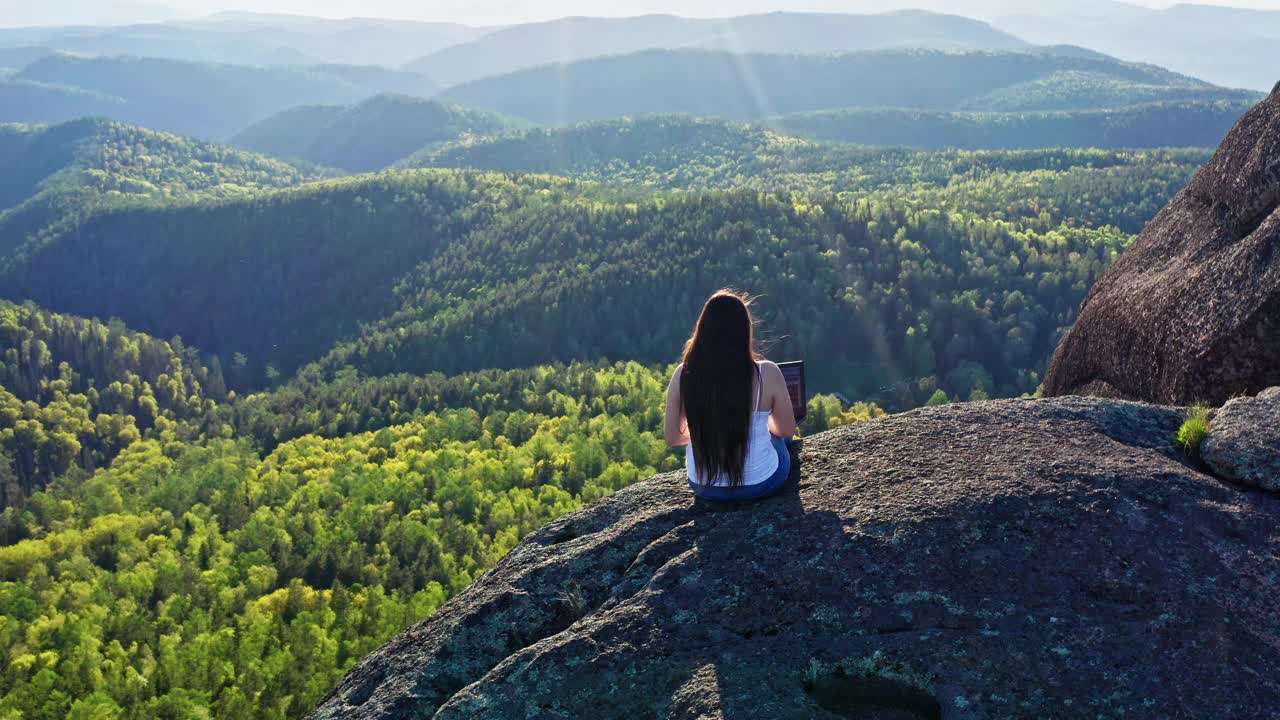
255 40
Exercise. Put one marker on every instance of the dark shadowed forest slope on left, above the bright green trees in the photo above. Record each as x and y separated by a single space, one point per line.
280 277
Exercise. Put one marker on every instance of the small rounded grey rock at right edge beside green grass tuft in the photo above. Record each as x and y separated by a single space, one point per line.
1244 443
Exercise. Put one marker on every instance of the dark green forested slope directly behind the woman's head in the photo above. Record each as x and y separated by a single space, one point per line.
870 293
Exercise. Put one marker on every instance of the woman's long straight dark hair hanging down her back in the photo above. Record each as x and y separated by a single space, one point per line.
716 386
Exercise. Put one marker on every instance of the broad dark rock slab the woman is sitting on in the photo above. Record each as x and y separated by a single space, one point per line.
1018 559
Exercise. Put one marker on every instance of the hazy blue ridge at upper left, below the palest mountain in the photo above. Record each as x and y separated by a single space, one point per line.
205 101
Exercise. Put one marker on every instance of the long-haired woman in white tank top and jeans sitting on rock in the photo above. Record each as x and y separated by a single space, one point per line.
730 408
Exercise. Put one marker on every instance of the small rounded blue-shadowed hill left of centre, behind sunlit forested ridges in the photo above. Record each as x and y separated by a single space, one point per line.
369 136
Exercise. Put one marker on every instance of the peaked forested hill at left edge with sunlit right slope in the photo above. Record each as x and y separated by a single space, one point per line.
53 176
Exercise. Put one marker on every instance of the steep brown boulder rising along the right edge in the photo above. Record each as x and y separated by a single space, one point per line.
1192 311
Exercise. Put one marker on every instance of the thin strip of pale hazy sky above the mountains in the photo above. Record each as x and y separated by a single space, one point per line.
491 12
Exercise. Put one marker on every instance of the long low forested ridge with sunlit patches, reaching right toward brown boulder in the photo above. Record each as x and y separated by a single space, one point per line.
682 153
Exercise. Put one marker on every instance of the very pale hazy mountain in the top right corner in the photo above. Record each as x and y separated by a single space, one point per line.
1231 47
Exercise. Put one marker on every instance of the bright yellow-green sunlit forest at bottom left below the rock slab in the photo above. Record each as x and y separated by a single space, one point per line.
243 585
